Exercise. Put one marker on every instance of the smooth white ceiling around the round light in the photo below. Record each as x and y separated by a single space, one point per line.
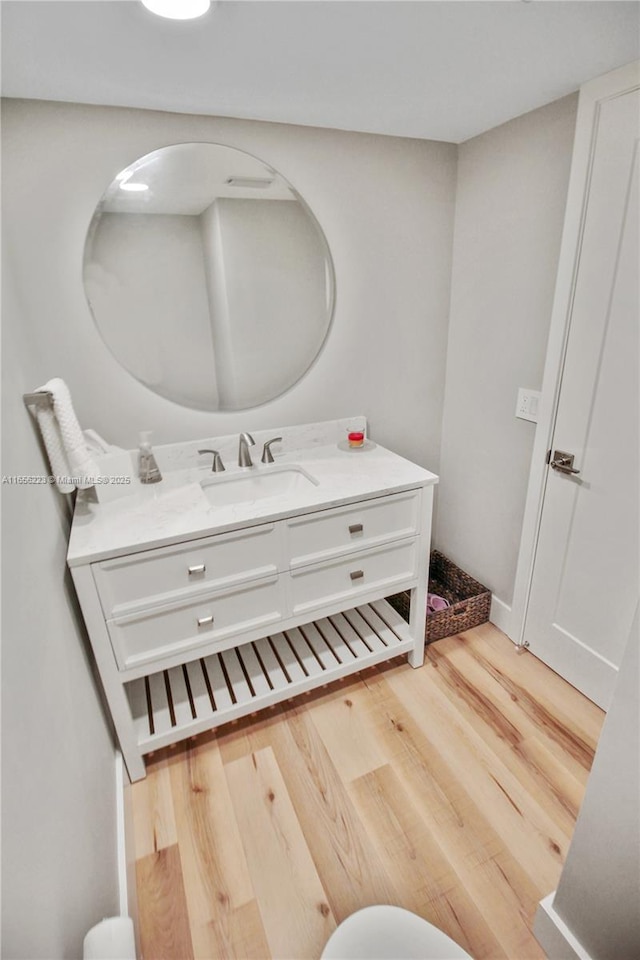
417 68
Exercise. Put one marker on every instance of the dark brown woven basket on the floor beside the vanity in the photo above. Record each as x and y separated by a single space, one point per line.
469 601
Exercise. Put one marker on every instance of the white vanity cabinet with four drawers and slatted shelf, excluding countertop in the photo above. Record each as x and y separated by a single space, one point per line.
194 634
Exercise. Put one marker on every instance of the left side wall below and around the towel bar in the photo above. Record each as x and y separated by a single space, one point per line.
59 873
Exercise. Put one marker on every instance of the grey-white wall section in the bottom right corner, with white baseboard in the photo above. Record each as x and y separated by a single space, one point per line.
598 897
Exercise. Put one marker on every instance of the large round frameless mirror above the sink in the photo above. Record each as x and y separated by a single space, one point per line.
208 277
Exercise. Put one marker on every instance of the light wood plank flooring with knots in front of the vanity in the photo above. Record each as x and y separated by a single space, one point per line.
451 790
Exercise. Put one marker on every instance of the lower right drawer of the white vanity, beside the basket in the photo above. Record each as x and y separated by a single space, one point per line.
348 577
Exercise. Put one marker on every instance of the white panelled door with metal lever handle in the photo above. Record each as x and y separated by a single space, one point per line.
585 581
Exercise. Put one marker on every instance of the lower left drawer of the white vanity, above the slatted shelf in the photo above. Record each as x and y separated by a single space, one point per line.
145 636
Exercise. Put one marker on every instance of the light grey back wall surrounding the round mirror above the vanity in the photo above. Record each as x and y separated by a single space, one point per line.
385 205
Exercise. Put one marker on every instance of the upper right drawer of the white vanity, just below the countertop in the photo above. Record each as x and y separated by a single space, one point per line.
317 536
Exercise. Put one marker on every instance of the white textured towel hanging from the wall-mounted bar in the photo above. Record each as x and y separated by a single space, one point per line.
64 440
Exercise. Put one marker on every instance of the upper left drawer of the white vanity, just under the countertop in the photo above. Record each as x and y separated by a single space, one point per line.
169 574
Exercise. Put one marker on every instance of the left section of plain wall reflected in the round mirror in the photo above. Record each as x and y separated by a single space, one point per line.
146 284
